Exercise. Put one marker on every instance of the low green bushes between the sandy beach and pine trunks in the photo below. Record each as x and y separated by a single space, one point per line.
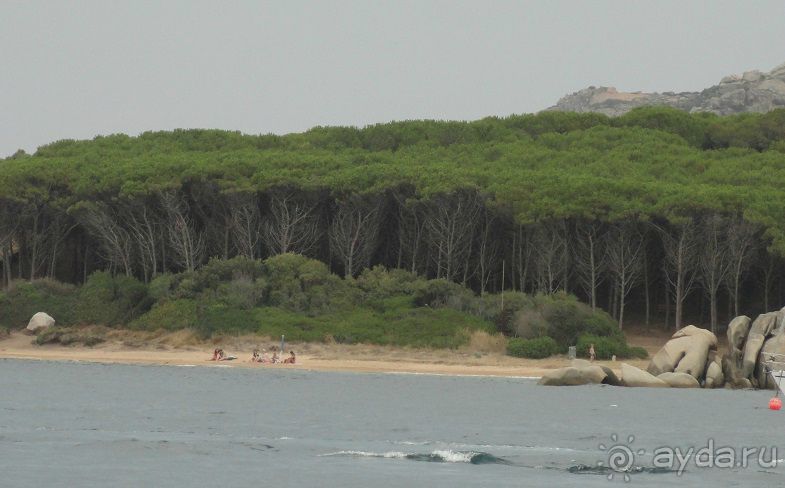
298 297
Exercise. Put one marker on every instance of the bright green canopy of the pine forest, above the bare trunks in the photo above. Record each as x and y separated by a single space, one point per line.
653 162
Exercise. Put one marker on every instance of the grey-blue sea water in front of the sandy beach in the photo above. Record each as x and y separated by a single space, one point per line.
100 425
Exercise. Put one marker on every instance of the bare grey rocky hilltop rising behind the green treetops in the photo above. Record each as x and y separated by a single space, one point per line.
753 91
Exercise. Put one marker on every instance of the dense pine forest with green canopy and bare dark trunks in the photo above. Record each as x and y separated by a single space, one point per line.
657 216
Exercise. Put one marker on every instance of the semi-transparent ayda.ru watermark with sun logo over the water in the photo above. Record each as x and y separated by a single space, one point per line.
622 459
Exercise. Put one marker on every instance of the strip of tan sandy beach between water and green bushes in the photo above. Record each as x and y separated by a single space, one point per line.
181 349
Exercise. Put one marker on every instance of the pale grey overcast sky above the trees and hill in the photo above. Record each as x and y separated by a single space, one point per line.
77 69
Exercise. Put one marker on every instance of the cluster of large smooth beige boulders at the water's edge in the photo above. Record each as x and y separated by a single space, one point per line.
690 360
